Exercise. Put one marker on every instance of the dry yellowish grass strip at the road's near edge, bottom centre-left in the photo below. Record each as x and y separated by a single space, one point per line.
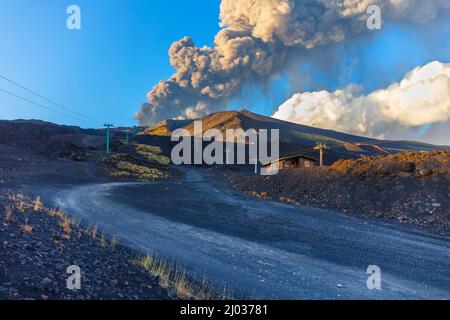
175 276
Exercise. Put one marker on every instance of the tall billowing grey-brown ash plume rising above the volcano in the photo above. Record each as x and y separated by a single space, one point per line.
256 38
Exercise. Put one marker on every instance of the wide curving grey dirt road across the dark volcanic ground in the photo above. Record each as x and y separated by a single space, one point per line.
264 249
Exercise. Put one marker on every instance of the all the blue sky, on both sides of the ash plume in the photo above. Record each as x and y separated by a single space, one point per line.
106 69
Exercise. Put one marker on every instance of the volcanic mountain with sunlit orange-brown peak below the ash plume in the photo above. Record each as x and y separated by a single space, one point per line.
294 138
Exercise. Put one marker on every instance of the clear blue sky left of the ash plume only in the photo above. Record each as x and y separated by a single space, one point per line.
103 70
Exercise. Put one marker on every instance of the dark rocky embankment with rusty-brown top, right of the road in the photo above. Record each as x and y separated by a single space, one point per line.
411 187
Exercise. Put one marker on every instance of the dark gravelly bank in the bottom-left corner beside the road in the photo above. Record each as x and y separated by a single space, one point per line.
37 245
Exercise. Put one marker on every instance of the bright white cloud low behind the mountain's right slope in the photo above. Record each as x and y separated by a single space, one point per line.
405 109
